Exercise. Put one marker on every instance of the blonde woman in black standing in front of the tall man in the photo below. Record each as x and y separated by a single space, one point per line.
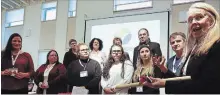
145 67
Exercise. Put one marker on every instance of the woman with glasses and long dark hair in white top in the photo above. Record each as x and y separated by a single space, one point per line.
117 70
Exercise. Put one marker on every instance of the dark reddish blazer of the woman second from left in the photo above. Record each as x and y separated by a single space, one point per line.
56 79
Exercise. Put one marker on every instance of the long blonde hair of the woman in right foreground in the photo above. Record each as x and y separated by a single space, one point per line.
213 34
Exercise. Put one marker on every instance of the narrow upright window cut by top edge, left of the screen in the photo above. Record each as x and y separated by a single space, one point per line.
72 8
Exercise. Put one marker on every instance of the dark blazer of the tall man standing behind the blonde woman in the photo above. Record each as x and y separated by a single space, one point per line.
155 48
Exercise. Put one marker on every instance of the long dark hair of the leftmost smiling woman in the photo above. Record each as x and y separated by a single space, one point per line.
9 47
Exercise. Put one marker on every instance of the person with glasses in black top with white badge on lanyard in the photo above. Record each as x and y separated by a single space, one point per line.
84 72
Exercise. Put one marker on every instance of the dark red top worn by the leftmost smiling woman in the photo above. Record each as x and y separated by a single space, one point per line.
24 63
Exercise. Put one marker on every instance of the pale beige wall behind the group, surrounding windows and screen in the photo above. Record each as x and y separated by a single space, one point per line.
55 34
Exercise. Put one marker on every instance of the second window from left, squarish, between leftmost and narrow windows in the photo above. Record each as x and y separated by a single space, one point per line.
49 11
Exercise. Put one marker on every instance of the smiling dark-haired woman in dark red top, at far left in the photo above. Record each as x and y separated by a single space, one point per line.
16 67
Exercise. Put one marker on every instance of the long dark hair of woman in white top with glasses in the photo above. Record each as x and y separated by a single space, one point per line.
111 61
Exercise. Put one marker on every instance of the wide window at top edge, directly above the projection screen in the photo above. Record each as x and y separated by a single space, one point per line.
131 4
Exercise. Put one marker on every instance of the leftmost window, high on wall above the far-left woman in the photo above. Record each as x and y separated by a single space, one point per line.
14 17
